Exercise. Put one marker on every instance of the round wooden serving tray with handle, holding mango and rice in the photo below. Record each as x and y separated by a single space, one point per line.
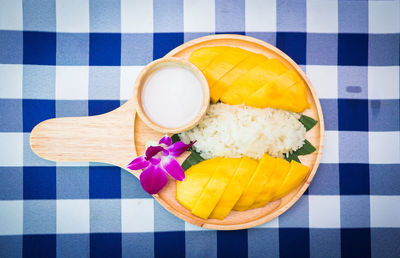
119 136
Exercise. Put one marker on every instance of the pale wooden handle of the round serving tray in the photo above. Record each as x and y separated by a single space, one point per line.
105 138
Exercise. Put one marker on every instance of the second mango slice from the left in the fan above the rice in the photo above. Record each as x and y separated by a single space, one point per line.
224 63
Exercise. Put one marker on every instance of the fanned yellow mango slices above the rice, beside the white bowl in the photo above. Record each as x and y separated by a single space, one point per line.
237 76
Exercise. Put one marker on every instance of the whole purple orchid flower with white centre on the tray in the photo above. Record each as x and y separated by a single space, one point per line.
157 161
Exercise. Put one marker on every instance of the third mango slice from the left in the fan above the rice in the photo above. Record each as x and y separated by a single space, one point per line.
222 85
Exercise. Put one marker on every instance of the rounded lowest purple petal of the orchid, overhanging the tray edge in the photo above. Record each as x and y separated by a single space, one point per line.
153 179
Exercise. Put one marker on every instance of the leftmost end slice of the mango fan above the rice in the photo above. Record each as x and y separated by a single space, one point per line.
202 57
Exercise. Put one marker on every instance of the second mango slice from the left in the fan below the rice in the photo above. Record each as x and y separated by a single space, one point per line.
215 187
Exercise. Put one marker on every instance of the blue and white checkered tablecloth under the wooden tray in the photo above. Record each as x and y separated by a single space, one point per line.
80 57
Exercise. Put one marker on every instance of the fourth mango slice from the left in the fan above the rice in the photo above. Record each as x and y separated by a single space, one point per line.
250 82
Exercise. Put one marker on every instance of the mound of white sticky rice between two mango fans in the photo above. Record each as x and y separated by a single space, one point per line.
236 131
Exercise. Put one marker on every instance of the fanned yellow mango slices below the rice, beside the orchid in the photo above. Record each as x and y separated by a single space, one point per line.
214 187
